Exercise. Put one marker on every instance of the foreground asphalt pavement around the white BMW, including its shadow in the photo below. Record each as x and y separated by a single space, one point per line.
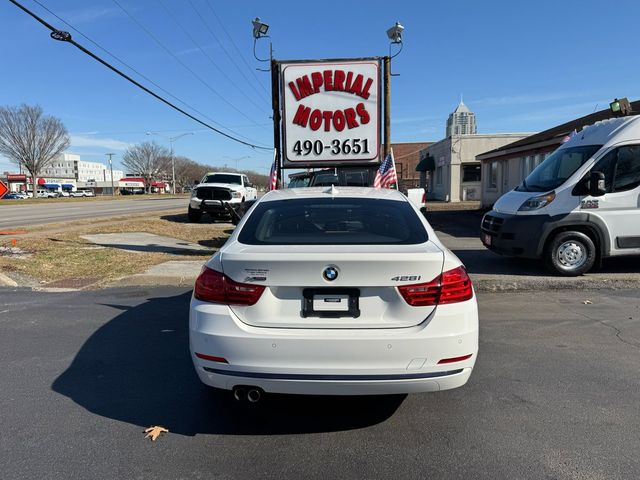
554 395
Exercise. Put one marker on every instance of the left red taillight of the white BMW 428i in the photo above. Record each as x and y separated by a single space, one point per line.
216 287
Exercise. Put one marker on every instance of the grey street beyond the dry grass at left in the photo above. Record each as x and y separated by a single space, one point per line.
16 215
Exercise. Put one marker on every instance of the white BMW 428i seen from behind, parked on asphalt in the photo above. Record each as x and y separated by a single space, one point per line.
329 291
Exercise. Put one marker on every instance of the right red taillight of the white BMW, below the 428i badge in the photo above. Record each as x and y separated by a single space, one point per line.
451 286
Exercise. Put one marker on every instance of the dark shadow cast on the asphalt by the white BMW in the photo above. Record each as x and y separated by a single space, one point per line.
137 369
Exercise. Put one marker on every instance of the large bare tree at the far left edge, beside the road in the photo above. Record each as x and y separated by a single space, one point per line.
31 139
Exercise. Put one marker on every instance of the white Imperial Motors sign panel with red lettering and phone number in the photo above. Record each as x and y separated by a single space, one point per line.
331 112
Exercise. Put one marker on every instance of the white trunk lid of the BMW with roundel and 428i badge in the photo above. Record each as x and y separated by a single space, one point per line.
332 286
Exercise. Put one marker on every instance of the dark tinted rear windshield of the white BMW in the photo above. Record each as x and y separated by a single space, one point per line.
333 221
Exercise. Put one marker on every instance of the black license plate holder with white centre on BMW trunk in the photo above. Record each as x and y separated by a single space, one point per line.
330 302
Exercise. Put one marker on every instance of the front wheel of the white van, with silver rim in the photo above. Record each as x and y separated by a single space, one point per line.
570 254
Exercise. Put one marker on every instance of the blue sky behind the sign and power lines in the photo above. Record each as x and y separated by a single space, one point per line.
521 66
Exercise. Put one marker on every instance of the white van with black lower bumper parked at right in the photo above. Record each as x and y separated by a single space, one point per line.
579 206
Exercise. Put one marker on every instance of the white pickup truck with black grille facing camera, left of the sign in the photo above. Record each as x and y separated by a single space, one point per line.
217 191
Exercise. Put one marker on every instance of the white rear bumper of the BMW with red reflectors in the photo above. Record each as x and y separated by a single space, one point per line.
332 361
